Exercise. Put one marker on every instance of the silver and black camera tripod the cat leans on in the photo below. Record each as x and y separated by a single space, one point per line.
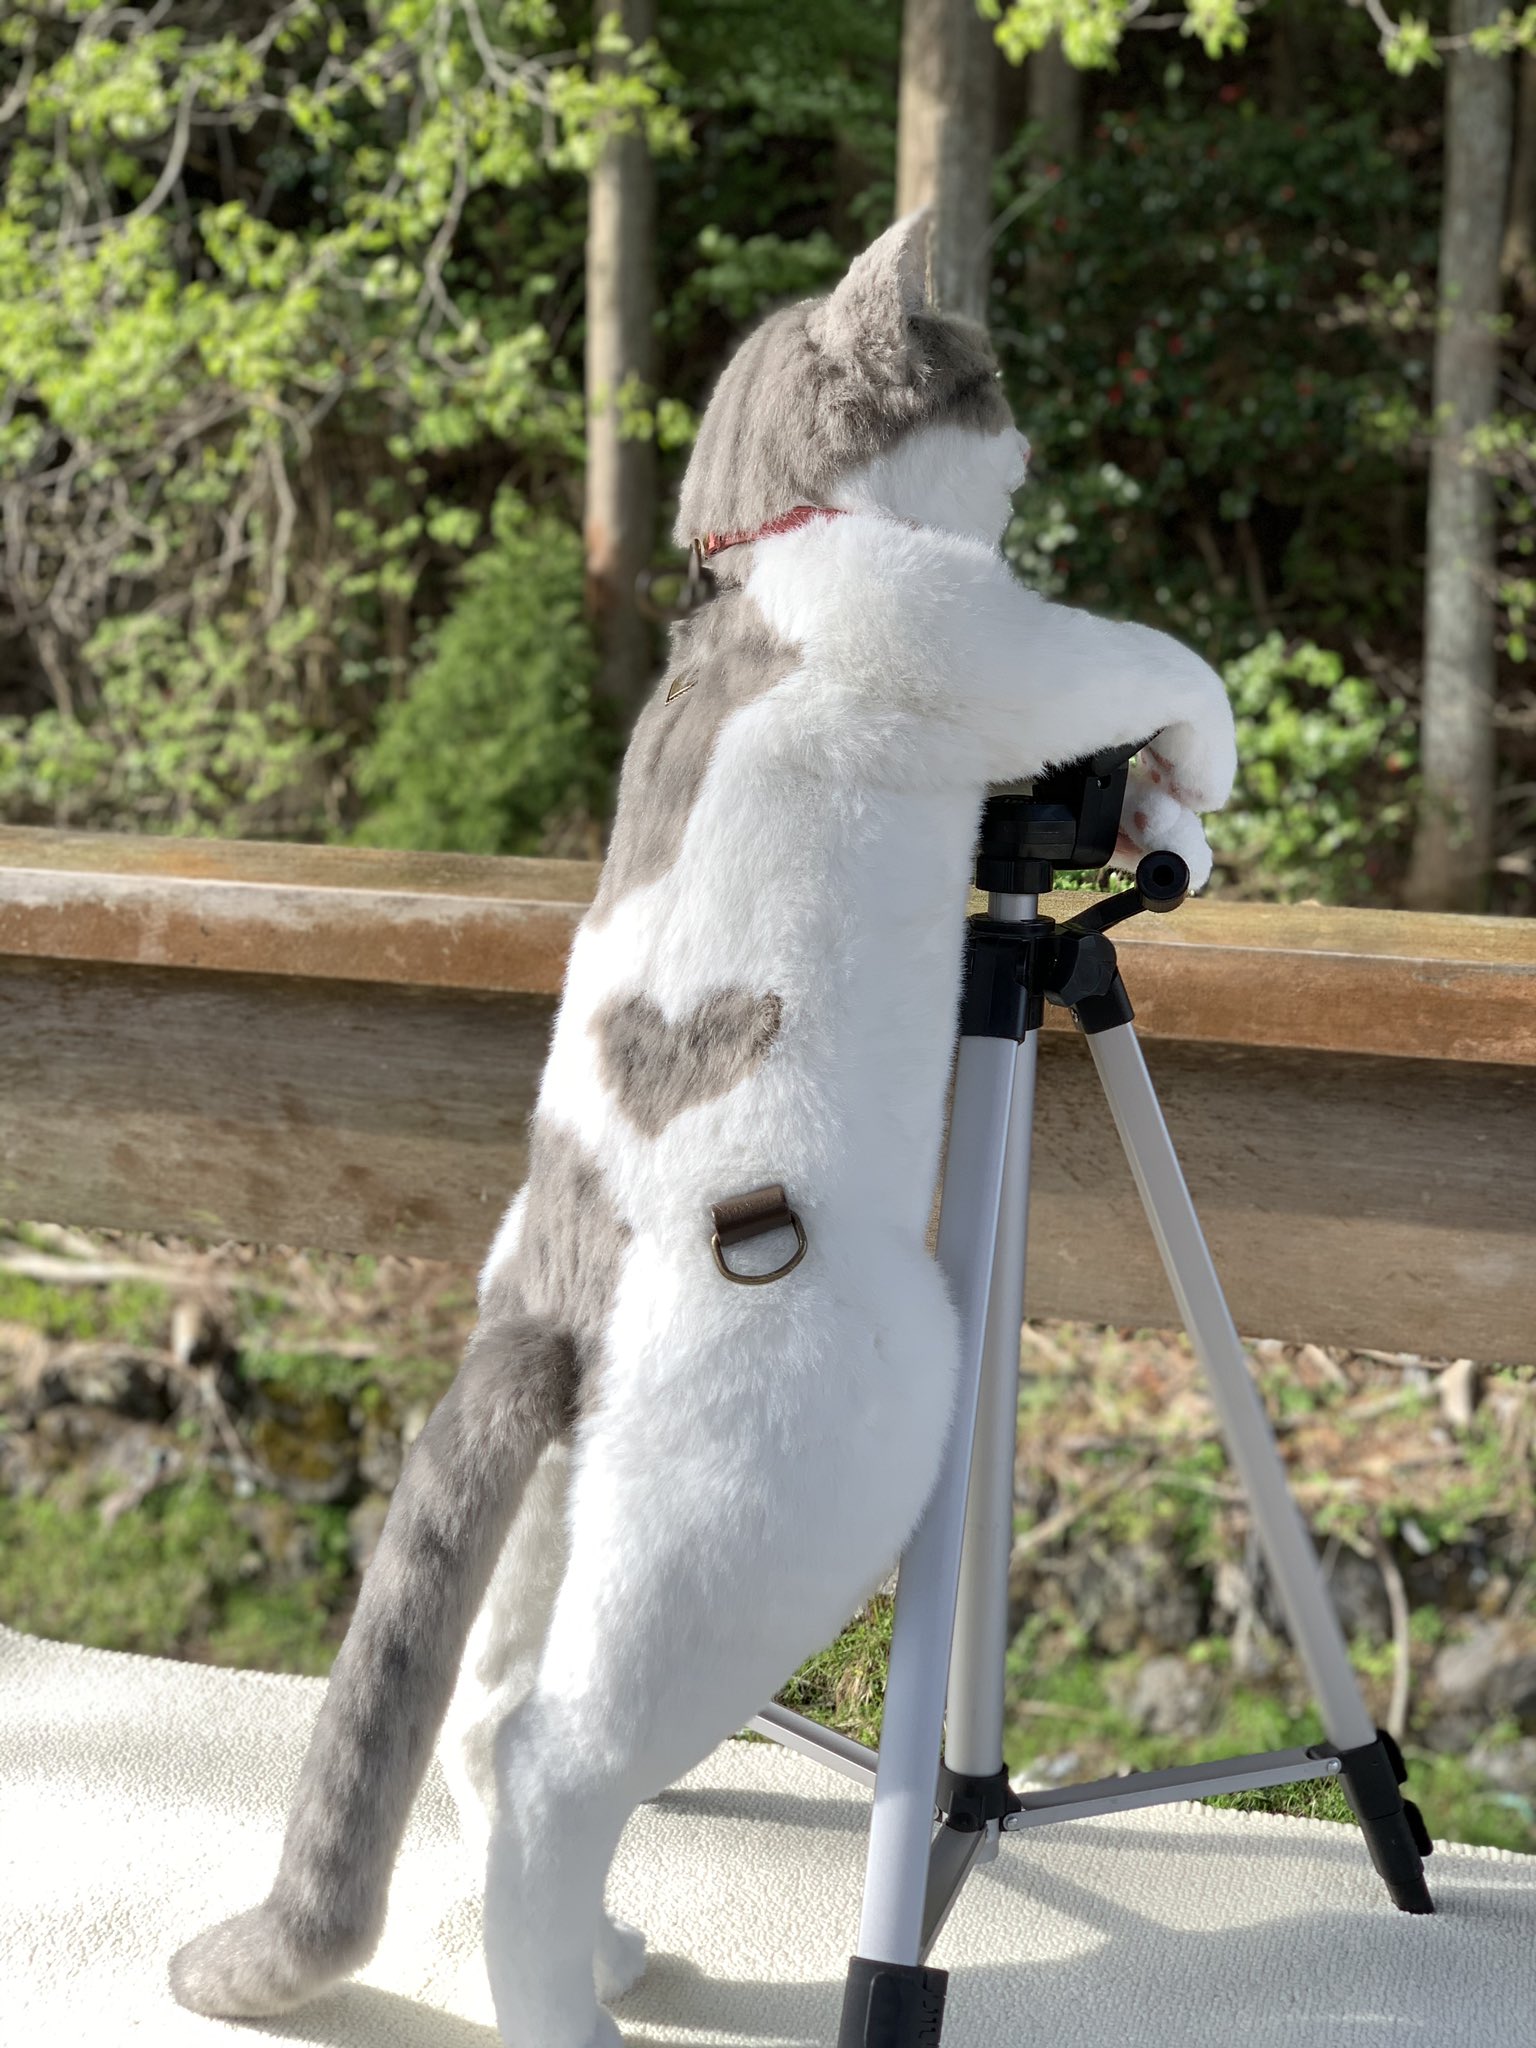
945 1687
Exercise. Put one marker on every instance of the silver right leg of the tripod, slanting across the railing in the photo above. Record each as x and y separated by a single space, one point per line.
1203 1308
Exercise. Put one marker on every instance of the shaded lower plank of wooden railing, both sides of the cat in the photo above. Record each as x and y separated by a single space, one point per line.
1349 1199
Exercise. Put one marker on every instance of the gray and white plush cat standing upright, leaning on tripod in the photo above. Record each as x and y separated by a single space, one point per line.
712 1377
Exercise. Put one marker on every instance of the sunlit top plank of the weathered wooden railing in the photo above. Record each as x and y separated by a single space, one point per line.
1390 984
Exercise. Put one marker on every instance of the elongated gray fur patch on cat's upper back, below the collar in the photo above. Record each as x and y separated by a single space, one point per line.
732 658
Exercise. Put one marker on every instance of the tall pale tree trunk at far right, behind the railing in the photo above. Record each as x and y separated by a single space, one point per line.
1455 839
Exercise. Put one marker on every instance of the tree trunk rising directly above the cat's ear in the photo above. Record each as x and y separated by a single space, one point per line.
945 128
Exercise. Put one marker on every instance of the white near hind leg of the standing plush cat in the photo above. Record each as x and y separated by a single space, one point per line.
728 1517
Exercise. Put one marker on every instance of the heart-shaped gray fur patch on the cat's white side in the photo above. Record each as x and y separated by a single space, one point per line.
660 1070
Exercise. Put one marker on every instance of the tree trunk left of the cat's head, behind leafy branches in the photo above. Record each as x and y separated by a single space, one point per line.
620 364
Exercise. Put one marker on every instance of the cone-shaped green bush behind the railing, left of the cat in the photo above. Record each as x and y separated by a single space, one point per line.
495 734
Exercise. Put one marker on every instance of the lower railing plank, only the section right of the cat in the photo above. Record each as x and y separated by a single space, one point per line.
1347 1199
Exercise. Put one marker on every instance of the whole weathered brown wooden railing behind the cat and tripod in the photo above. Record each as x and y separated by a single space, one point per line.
341 1050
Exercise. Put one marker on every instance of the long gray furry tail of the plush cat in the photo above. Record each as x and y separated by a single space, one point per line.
394 1676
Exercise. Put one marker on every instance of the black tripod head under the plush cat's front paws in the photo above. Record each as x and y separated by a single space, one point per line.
1070 818
